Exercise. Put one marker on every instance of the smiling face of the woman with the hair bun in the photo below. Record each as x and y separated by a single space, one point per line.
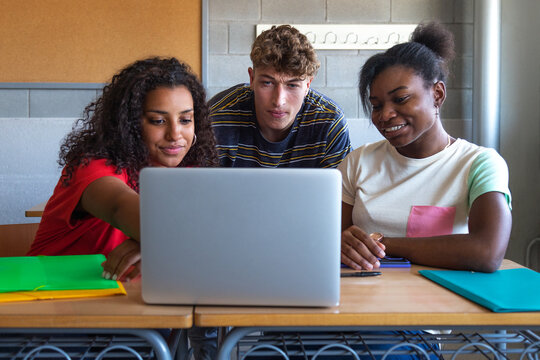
404 111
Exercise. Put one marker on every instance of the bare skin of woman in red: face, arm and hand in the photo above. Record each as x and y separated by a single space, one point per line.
168 130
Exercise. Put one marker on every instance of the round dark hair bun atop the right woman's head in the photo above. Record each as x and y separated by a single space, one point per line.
437 38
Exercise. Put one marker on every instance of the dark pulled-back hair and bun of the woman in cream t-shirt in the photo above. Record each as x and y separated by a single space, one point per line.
428 53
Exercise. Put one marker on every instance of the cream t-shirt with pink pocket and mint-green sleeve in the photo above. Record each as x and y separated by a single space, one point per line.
401 196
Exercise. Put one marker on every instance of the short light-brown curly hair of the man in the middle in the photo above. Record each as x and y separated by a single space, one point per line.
285 49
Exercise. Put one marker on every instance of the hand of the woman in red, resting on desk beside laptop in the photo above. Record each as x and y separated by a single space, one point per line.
123 262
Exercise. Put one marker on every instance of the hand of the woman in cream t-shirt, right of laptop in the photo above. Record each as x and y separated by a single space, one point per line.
360 251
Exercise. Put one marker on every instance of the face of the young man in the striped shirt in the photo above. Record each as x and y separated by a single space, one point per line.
278 98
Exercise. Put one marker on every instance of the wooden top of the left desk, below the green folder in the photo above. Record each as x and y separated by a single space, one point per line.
104 312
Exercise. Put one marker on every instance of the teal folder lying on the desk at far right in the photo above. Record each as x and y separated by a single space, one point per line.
509 290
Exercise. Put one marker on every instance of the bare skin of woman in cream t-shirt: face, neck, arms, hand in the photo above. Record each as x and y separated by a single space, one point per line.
404 113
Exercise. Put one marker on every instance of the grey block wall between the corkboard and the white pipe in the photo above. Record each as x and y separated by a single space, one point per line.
232 31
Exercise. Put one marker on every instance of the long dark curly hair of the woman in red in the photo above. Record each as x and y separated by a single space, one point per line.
111 127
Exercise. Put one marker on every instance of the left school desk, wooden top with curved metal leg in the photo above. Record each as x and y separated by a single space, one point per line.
105 315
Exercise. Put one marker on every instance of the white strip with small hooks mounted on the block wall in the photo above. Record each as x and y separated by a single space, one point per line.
352 37
